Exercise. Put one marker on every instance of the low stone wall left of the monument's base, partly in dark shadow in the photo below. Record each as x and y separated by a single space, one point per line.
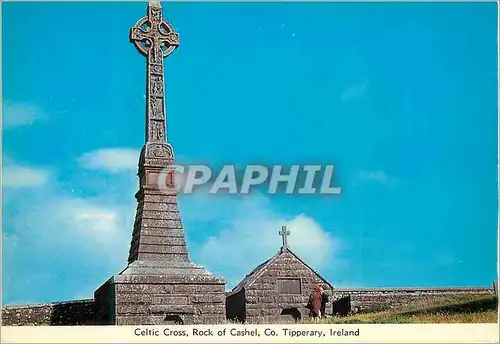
79 312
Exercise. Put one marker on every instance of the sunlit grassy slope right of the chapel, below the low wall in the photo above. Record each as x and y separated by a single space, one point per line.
460 309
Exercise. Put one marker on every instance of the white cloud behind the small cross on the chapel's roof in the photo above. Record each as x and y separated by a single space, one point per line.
251 237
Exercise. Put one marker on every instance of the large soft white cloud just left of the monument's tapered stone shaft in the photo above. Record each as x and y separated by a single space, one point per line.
67 227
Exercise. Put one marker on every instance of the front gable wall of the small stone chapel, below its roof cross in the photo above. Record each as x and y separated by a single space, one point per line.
262 299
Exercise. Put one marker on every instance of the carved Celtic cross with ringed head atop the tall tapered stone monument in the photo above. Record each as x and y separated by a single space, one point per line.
156 39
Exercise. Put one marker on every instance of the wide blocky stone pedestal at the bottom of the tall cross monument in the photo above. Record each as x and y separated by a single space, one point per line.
160 293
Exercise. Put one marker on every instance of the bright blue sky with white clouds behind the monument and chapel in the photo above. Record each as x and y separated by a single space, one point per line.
401 98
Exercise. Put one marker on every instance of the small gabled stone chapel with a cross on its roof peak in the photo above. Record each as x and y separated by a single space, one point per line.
279 288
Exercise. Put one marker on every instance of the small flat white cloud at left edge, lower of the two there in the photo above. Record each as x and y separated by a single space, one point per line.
15 176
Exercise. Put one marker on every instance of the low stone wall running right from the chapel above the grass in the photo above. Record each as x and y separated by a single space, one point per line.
357 300
